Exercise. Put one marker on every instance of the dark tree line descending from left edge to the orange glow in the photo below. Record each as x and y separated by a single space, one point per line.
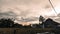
9 23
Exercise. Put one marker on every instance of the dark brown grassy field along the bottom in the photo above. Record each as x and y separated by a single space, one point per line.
26 30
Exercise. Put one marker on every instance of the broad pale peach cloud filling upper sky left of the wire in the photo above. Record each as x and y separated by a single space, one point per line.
26 7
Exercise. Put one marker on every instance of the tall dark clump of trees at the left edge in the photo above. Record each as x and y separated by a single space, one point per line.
6 23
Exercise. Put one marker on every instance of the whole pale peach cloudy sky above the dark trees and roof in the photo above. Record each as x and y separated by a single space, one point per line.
29 10
